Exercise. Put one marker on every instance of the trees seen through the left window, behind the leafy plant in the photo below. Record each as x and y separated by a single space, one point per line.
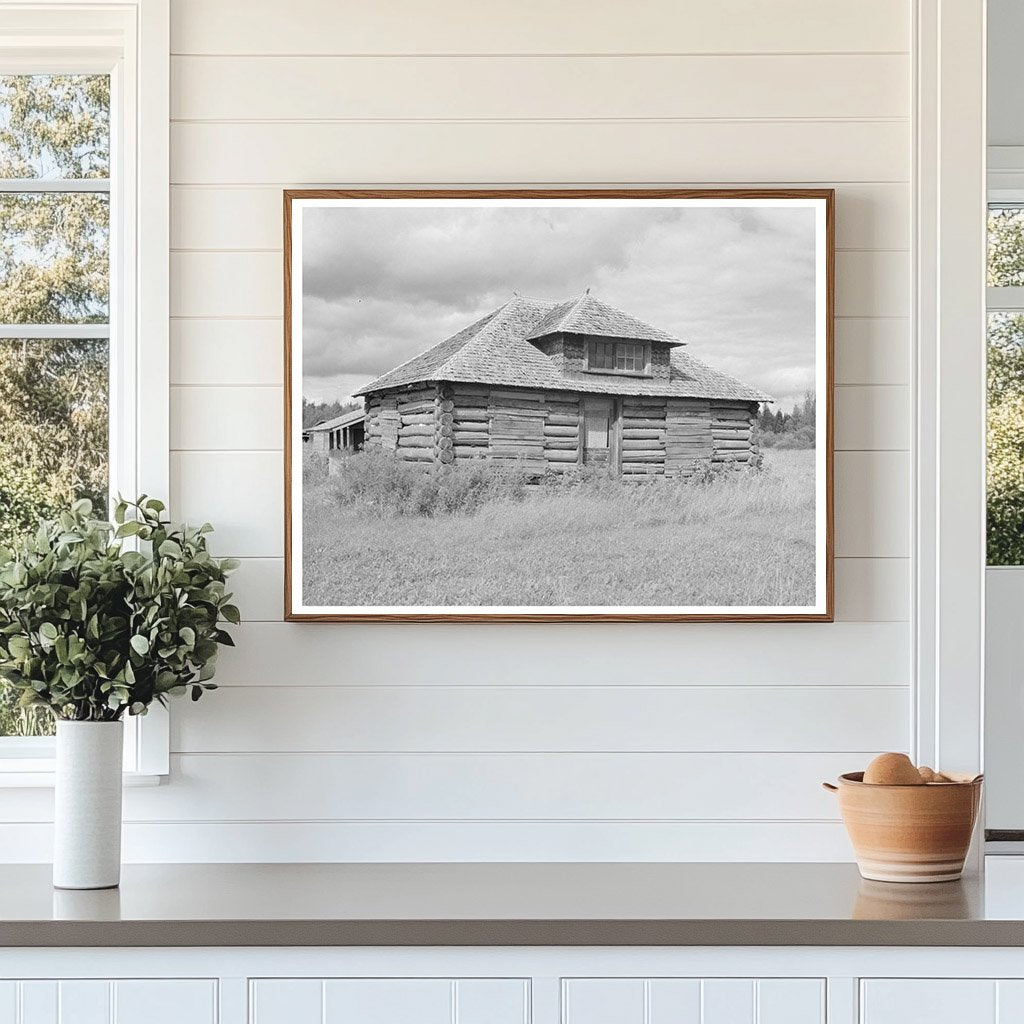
55 295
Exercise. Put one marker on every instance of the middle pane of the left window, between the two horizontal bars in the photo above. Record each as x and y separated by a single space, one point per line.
55 259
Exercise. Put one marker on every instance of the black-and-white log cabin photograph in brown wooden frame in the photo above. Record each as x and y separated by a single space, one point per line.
559 405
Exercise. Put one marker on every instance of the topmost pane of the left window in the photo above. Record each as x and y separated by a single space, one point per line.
55 126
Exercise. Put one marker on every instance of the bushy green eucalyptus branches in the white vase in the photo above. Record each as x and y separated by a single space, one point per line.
100 619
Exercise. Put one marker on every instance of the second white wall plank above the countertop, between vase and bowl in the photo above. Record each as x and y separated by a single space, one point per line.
465 787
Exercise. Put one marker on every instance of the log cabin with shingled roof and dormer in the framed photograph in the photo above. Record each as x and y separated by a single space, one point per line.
556 386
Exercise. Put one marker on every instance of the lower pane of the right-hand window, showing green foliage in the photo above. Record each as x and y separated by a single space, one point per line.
1006 440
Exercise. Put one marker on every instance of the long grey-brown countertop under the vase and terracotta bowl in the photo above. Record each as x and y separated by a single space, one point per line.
510 905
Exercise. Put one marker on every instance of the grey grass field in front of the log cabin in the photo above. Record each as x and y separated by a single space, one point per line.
744 540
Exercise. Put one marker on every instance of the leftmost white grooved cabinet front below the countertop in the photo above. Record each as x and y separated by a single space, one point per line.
105 1002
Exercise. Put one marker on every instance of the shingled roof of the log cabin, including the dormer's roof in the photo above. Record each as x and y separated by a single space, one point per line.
497 351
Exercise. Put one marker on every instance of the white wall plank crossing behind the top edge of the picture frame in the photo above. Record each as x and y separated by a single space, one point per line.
868 217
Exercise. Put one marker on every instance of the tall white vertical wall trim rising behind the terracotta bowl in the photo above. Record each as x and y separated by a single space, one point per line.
950 446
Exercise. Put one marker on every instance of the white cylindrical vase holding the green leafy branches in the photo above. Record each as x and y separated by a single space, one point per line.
88 805
